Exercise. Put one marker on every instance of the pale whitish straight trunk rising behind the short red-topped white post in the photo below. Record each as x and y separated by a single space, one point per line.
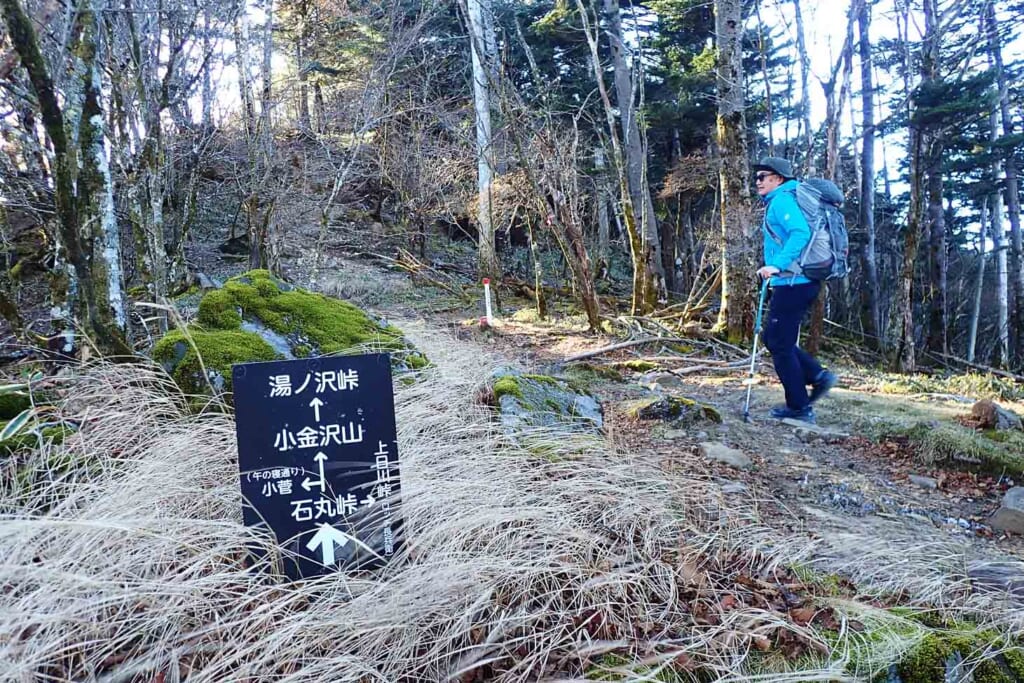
488 255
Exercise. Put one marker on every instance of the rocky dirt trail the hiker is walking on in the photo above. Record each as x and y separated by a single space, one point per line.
850 495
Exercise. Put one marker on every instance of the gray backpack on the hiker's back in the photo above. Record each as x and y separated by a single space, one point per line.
827 257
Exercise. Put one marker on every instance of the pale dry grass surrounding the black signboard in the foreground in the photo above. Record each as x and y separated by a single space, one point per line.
134 564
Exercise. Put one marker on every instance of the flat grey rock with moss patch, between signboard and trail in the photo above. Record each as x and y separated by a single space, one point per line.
527 401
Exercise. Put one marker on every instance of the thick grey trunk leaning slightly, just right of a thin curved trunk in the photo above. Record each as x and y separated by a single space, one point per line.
636 158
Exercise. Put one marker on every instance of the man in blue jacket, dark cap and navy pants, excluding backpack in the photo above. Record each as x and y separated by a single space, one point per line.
786 233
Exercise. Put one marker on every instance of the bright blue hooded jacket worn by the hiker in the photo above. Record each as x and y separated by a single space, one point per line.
786 221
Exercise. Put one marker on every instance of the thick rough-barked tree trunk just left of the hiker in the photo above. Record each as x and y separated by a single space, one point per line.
736 316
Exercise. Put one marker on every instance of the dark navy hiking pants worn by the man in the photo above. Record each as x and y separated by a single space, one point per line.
795 367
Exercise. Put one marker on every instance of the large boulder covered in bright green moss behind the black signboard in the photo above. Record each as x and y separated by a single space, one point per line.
257 317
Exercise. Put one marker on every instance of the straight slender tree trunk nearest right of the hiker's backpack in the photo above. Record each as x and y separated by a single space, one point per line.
871 316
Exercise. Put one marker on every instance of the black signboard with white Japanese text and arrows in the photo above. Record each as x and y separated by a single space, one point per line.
319 460
